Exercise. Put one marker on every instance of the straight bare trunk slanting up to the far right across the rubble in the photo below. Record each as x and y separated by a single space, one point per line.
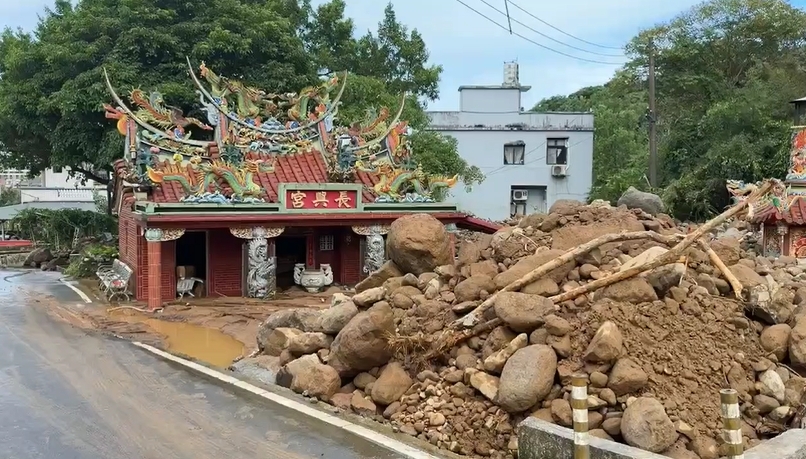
668 257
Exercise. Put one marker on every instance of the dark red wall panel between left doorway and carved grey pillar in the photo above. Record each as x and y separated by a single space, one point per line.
225 263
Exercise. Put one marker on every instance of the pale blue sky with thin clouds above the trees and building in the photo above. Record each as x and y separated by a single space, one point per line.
472 50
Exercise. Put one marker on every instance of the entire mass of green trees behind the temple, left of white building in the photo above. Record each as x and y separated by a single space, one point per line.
51 85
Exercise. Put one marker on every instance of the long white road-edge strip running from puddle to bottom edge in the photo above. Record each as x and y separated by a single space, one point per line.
368 434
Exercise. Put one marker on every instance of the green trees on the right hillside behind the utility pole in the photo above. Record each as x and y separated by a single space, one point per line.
726 72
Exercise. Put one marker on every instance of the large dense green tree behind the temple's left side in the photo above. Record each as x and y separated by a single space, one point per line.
52 86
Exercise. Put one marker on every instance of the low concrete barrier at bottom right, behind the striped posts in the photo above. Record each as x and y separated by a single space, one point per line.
542 440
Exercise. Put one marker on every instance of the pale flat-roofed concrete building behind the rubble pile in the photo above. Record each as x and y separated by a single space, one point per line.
530 159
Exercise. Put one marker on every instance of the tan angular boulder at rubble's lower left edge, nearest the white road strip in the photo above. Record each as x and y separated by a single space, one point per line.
308 375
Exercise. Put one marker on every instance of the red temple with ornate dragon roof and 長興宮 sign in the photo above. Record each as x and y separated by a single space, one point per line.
279 195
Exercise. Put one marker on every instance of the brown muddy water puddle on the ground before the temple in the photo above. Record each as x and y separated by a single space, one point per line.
201 343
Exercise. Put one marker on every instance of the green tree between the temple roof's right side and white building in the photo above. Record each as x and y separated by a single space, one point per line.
383 66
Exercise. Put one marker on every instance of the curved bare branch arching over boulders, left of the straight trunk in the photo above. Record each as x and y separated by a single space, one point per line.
474 316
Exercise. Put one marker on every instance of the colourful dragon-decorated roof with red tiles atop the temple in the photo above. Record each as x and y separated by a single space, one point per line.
261 139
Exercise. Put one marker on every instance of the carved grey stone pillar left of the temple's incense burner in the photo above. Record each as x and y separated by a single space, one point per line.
261 279
